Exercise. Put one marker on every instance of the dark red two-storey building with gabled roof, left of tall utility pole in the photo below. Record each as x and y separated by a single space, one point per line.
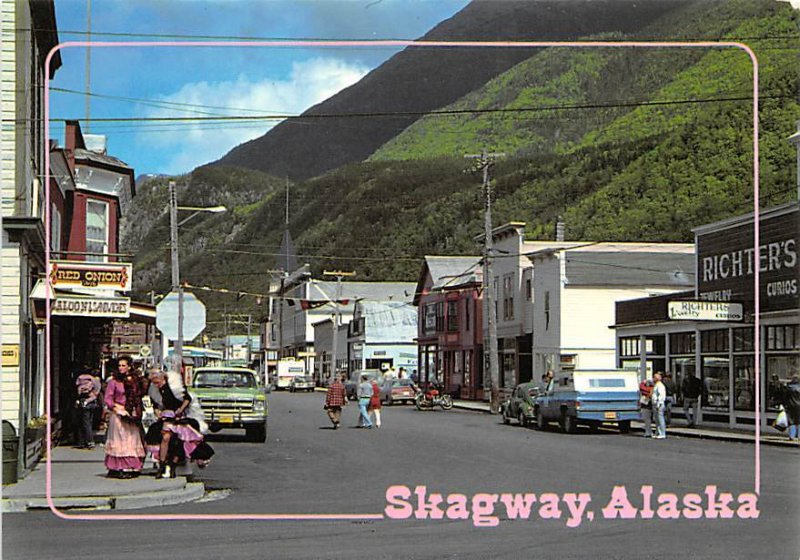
450 334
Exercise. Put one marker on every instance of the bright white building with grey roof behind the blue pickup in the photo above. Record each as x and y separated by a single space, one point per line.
575 290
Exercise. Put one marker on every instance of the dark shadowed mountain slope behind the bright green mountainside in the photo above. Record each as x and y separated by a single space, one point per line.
418 80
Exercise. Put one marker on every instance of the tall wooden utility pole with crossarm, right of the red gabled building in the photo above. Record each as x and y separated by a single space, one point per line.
484 162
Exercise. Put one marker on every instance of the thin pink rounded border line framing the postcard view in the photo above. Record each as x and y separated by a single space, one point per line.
427 44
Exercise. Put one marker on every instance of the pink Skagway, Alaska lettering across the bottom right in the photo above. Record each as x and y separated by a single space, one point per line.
485 509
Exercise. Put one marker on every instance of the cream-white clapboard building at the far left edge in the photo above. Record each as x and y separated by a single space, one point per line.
29 33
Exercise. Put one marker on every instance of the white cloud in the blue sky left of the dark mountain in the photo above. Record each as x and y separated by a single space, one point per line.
193 144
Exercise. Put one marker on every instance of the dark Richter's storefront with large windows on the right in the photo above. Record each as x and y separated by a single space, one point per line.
721 350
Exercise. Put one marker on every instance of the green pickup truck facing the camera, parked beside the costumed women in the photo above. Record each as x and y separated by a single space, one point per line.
232 397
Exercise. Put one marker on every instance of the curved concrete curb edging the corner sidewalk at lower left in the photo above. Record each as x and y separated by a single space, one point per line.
190 492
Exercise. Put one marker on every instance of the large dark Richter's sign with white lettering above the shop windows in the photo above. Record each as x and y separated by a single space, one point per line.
727 261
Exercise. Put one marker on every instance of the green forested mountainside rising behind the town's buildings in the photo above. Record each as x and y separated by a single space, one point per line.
624 145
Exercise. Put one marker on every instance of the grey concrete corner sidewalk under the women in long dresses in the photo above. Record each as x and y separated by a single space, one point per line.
79 481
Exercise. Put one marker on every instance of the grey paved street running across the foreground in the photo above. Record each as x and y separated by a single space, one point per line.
307 468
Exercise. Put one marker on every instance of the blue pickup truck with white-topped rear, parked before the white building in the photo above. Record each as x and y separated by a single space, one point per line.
590 398
